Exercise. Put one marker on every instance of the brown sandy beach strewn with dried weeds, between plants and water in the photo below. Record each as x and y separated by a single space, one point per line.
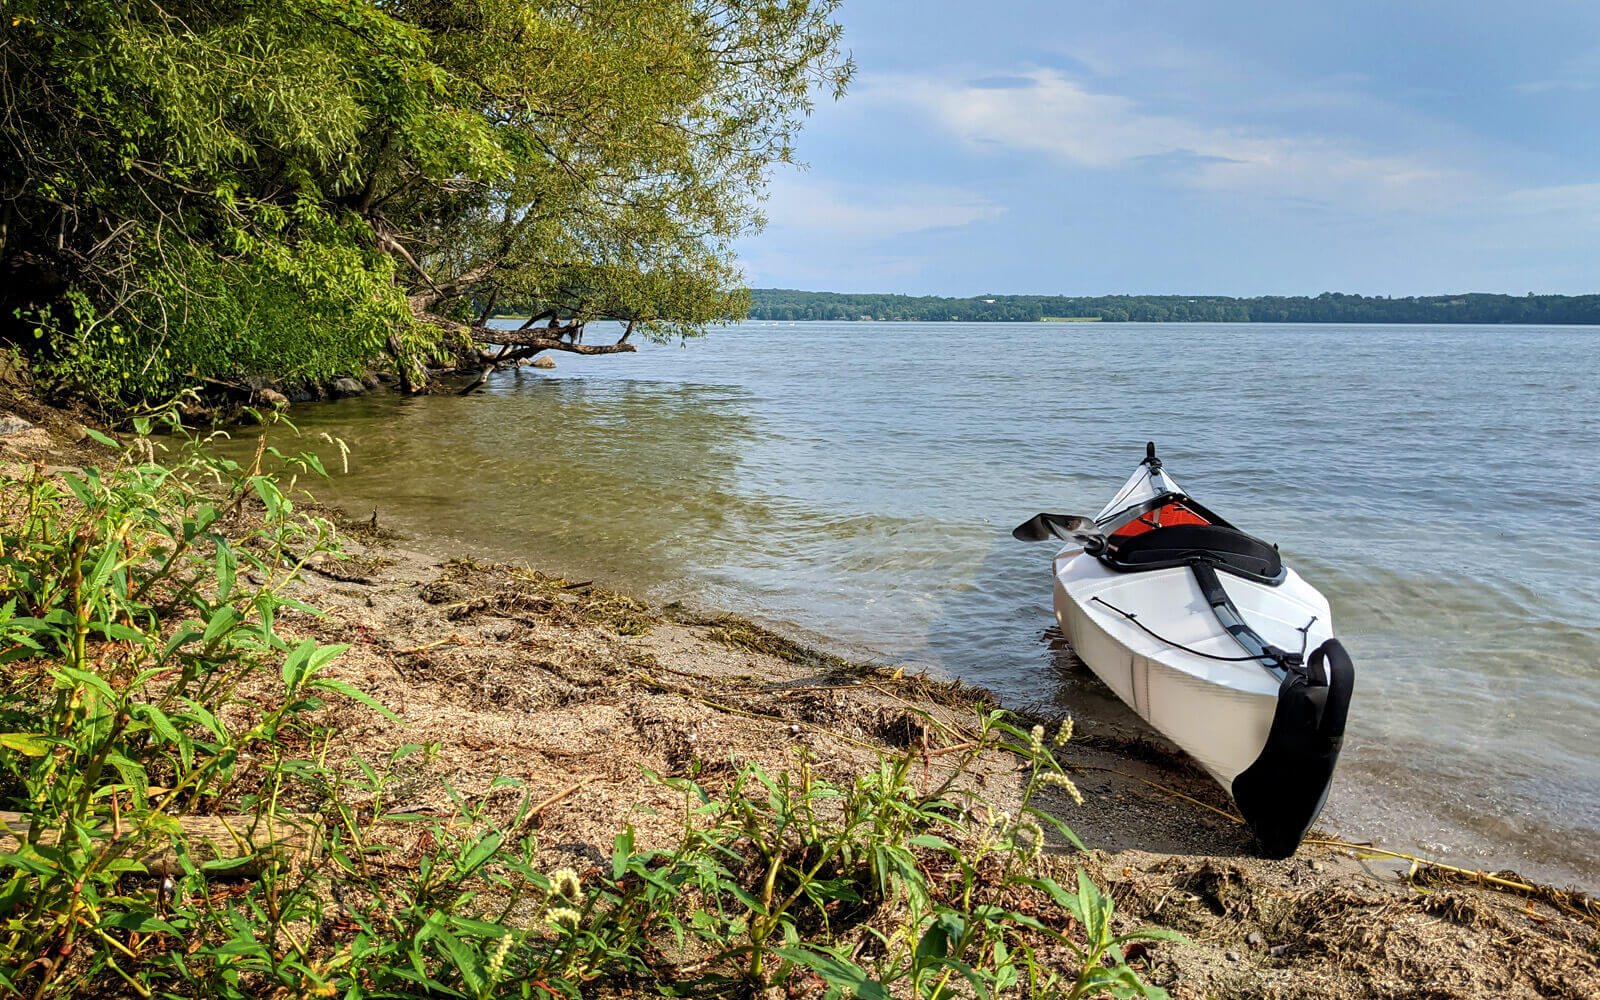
580 694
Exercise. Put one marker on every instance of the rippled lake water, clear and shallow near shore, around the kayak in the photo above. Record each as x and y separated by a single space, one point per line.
860 482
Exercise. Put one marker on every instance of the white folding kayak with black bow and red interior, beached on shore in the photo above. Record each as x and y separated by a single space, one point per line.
1204 633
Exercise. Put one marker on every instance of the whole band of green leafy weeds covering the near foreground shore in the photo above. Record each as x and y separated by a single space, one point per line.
193 826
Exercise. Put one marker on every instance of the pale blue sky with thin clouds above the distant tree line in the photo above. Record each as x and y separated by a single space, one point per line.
1199 146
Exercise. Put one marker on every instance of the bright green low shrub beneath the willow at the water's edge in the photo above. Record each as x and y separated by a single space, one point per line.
308 305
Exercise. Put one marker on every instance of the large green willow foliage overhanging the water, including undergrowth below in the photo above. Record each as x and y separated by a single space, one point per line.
292 188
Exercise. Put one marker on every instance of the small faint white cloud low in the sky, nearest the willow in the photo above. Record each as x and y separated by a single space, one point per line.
799 206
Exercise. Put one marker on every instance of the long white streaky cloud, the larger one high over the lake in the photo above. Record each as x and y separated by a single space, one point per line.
1074 126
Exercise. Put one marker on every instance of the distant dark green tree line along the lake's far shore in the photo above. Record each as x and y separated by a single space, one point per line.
1327 308
